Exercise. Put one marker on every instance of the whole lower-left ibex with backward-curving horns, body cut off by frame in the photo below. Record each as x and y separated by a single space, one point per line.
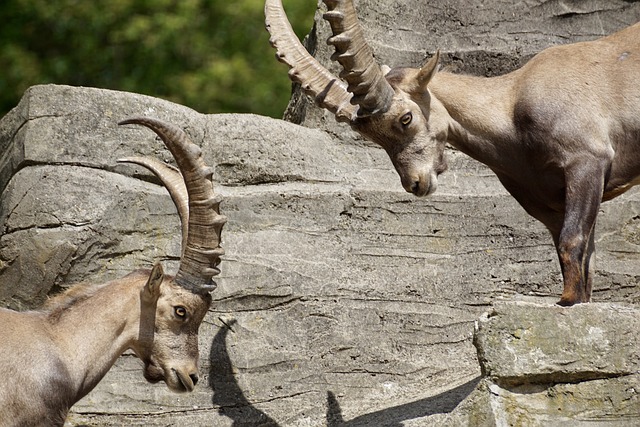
51 358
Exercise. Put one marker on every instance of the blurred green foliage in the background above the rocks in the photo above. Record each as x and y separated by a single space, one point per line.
211 55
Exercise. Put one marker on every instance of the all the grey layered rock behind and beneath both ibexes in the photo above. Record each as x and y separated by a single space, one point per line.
343 300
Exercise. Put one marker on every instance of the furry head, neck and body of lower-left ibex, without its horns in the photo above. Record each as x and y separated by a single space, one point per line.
78 335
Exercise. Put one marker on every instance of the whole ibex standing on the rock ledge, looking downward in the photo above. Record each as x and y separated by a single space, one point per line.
562 133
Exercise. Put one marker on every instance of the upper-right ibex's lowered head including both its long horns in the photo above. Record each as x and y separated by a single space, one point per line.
381 104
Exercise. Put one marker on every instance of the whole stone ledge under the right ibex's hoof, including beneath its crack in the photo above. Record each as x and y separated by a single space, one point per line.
548 366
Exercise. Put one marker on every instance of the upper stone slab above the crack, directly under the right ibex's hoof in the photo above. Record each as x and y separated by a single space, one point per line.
591 342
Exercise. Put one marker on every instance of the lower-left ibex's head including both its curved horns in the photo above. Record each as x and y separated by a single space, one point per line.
172 308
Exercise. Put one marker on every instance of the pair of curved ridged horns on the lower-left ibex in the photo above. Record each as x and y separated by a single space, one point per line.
201 250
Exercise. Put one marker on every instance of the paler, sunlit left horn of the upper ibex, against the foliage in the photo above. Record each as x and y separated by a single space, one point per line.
327 90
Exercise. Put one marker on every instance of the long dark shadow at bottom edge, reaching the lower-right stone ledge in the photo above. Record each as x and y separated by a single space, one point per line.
393 417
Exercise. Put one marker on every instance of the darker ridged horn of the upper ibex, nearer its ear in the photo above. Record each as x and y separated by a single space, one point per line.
371 91
